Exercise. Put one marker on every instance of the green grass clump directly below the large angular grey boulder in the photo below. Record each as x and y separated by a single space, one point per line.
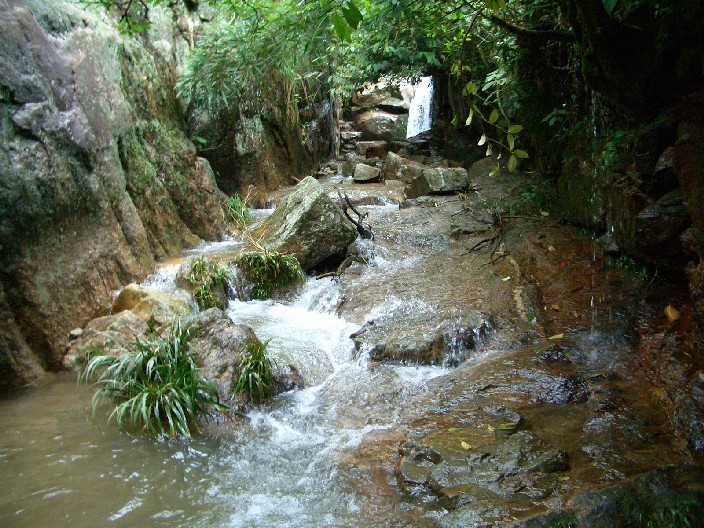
270 270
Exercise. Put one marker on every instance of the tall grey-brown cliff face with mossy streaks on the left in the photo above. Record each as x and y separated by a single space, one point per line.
97 176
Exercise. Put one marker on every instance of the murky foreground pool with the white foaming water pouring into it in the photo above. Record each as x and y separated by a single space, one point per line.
279 467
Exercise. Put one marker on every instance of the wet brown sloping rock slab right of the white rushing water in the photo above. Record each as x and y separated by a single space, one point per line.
554 399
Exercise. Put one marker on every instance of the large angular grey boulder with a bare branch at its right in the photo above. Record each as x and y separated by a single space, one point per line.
308 224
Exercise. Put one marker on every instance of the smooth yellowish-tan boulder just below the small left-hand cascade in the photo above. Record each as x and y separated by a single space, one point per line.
155 307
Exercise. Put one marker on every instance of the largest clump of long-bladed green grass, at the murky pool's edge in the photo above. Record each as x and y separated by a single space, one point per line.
156 385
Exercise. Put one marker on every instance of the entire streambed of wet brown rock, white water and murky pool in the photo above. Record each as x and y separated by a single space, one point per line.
472 367
